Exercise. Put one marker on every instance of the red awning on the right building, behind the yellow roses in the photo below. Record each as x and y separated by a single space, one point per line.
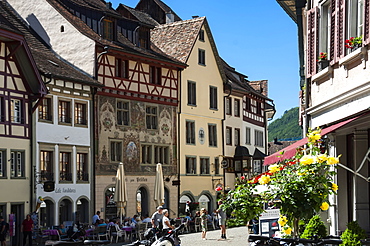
290 151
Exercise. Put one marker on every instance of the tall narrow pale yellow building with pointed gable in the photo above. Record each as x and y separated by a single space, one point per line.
200 111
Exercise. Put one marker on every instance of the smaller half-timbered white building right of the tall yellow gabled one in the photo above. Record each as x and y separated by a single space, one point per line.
247 109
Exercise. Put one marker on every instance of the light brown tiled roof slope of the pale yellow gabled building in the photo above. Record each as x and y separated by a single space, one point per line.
177 39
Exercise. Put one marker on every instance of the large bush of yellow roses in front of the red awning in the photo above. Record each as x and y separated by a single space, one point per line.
304 183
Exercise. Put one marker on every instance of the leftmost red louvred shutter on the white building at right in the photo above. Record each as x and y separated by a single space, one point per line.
312 41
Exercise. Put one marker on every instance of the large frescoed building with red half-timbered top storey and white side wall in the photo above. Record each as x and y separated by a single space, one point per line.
135 111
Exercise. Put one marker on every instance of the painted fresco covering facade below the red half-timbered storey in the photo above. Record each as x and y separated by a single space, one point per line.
131 138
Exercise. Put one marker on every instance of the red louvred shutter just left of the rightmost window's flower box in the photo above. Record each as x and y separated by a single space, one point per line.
341 29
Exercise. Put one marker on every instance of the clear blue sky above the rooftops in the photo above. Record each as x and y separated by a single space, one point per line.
257 38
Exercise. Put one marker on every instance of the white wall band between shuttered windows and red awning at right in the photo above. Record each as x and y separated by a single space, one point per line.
343 94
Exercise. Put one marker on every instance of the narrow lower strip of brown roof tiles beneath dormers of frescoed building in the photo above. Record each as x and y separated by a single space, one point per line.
123 44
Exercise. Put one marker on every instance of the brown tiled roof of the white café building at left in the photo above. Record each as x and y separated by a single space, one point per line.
46 60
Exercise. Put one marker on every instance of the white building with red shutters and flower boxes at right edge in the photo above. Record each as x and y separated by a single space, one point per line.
335 96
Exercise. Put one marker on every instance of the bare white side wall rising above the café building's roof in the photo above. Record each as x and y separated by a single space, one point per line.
73 46
